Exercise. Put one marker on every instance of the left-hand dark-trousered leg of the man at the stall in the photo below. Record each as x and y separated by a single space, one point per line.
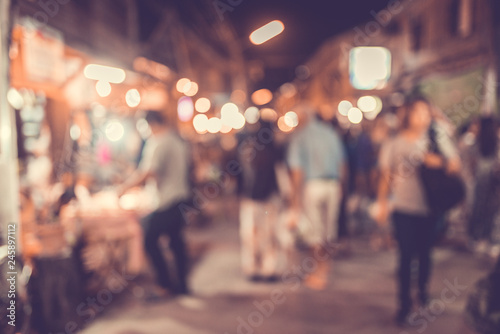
153 229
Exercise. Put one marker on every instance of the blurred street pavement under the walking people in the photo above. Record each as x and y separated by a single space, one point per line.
360 297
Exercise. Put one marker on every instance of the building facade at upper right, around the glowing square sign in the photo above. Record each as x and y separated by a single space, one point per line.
443 48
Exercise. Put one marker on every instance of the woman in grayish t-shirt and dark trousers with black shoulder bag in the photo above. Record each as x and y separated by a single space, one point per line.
414 224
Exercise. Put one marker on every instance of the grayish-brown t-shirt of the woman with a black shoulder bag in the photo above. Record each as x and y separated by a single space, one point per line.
402 158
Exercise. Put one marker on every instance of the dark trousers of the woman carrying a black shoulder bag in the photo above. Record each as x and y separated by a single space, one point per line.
415 236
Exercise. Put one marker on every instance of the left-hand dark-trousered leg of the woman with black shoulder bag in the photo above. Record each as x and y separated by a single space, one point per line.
404 229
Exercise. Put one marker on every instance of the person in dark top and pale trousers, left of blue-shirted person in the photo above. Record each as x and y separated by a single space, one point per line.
260 205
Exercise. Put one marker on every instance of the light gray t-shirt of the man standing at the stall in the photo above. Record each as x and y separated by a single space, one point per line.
167 156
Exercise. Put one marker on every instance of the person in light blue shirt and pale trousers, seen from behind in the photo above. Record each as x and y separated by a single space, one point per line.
317 162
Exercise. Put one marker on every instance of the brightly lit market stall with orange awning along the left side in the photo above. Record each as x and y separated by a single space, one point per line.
78 136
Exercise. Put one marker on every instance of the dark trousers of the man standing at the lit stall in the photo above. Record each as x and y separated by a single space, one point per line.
169 222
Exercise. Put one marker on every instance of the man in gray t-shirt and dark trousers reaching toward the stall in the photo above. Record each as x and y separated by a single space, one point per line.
165 160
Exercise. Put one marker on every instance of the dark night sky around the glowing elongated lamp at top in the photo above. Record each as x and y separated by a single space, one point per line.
308 23
